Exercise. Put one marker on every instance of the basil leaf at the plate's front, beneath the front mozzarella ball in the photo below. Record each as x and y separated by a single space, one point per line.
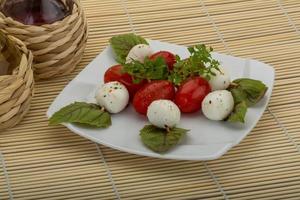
159 140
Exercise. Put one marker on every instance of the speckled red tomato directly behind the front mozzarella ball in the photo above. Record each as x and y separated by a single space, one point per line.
150 92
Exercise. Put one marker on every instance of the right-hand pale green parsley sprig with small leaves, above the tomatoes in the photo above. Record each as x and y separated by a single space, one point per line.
200 63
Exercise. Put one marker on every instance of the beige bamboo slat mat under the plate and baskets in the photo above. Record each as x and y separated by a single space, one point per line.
41 162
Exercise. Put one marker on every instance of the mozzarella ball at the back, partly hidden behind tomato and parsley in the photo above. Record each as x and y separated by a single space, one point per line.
139 52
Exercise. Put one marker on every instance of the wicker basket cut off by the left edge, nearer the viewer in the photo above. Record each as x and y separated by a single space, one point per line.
16 89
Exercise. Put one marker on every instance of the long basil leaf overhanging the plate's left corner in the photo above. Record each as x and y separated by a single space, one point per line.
82 113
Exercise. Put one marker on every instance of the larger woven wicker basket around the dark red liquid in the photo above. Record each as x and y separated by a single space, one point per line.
57 48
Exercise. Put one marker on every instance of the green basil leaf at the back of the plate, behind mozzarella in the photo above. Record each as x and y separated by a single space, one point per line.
122 44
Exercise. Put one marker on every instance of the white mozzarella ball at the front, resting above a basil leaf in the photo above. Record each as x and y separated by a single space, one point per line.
163 114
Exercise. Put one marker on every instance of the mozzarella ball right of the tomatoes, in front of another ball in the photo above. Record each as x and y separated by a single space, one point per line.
218 105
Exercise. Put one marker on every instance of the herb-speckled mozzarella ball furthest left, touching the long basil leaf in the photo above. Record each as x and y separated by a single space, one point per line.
113 96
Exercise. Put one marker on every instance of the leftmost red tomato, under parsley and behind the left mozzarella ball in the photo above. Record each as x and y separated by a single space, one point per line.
114 73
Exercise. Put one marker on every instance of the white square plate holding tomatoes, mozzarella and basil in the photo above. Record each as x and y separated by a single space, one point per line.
207 139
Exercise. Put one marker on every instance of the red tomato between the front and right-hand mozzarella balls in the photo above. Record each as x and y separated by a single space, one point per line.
191 94
